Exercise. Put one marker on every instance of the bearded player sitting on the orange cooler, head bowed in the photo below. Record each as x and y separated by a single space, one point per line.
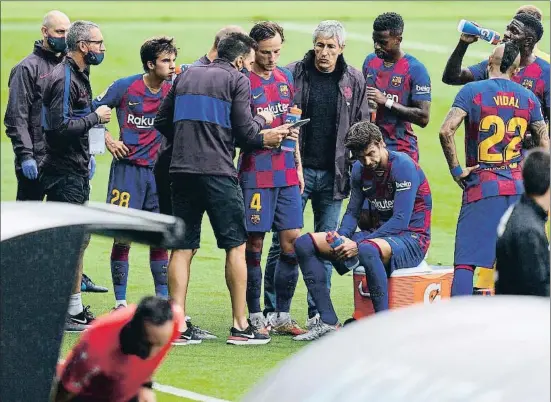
392 191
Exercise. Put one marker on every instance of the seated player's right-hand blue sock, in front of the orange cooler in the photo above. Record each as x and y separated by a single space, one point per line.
377 281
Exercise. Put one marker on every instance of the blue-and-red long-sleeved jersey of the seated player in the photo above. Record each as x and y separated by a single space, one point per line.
390 201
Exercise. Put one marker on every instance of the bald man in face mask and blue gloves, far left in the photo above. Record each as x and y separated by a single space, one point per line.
24 109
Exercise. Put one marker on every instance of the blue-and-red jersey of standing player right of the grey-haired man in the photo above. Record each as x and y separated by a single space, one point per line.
405 81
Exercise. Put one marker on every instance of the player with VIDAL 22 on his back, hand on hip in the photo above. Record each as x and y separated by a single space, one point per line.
497 113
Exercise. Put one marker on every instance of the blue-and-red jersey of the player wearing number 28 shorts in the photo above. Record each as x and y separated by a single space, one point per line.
136 108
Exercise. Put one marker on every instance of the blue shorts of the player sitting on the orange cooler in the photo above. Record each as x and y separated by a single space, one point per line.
408 249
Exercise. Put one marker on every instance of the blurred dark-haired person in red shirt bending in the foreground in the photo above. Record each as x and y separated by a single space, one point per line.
117 356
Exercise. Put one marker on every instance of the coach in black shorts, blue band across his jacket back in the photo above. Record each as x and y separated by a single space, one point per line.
205 113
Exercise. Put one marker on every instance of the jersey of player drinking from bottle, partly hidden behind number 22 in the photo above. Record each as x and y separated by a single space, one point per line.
535 77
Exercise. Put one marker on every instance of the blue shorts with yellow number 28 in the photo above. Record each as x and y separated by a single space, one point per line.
132 186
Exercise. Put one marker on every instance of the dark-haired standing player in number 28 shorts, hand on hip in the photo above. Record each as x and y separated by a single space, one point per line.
131 180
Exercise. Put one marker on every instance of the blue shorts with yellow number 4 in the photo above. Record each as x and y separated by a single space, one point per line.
274 209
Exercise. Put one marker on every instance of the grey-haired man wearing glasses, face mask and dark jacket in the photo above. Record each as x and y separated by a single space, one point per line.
67 166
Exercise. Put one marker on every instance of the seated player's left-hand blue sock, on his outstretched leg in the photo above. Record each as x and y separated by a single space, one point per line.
315 278
